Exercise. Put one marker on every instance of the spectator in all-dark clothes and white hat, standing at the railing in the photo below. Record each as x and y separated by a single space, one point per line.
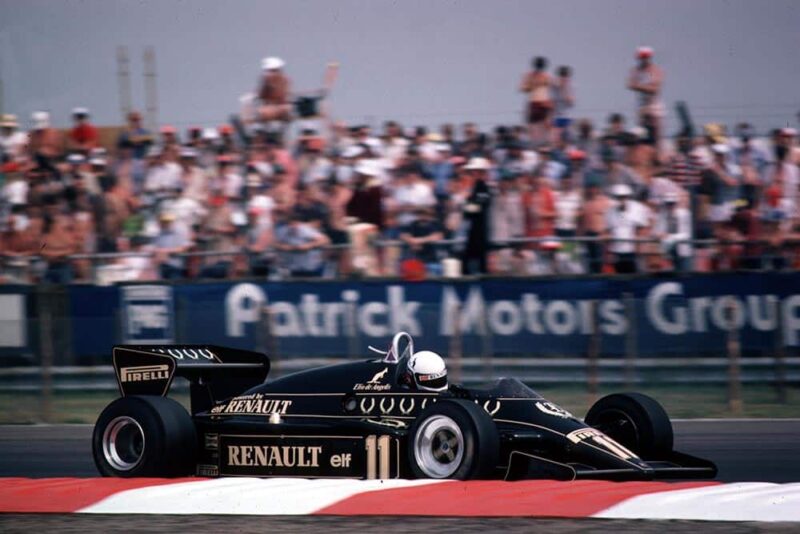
476 213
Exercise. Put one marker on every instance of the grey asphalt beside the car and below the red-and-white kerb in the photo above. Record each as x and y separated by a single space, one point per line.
744 450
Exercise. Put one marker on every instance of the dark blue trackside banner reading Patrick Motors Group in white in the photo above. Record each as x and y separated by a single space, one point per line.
683 316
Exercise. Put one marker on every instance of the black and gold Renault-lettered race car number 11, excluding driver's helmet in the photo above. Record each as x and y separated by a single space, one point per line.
361 420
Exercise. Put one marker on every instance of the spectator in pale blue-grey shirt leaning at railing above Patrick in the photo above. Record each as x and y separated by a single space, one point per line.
300 243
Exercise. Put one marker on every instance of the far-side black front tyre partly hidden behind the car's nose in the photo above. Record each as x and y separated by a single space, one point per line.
634 420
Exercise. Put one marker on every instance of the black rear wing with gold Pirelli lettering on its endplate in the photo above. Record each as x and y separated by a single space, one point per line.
214 373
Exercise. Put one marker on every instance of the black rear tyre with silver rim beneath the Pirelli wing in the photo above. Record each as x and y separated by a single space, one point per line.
144 436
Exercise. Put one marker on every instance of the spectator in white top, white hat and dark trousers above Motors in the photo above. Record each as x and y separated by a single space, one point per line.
625 221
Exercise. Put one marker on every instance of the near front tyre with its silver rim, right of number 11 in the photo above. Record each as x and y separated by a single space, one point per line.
455 439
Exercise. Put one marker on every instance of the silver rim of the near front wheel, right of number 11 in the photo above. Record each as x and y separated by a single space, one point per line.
439 447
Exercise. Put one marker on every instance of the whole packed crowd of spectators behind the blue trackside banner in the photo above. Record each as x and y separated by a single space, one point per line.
285 190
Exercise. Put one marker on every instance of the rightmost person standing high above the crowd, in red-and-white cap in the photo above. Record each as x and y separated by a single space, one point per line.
645 80
